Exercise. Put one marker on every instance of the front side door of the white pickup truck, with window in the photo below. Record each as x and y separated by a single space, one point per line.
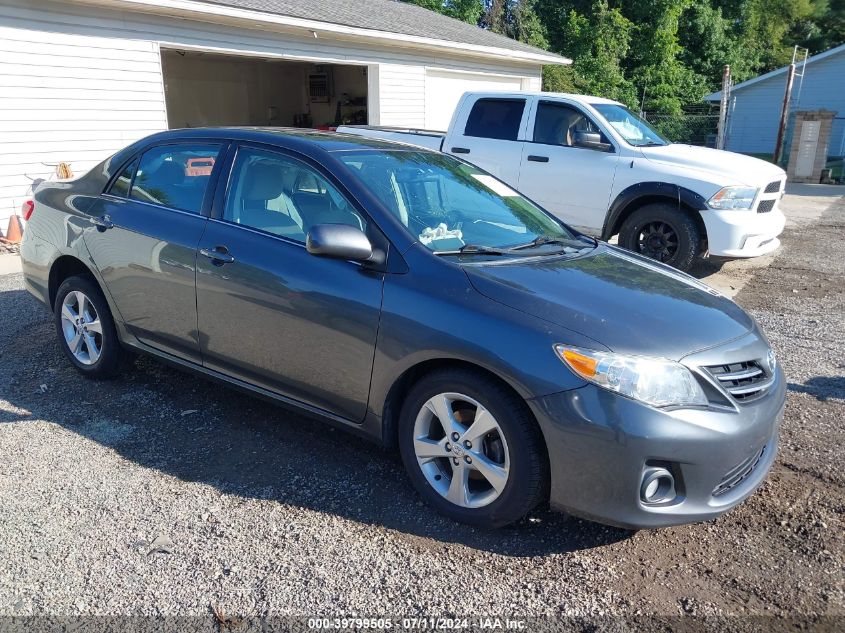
569 179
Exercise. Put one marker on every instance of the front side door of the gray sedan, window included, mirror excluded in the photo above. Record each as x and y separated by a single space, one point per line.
270 313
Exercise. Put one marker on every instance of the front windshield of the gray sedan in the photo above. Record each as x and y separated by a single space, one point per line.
451 206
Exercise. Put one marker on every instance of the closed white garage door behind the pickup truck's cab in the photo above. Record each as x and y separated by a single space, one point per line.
443 90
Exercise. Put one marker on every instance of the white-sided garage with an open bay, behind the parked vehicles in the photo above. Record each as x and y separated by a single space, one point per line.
81 79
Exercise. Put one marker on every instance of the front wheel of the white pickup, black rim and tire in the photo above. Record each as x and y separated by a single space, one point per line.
679 243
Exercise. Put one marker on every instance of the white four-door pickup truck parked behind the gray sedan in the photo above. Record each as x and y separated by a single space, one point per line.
600 168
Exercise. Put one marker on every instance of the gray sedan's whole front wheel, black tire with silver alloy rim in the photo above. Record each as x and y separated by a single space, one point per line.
514 447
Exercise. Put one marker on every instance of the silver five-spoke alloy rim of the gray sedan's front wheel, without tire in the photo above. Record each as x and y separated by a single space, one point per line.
461 450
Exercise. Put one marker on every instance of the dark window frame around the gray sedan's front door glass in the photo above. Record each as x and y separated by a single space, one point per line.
226 183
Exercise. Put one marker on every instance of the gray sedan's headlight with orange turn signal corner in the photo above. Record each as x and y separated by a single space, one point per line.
654 381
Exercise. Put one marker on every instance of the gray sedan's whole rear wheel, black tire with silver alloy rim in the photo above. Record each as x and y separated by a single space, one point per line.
98 351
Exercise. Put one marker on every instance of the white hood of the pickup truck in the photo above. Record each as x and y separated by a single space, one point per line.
725 168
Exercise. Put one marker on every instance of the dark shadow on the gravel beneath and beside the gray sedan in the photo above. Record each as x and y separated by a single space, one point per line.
199 431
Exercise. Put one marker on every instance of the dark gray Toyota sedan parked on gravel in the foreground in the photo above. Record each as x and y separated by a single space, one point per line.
418 301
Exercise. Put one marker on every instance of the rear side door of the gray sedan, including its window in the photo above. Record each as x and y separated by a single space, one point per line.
144 236
